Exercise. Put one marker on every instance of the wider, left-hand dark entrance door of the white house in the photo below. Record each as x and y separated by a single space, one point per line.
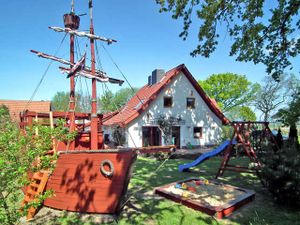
151 136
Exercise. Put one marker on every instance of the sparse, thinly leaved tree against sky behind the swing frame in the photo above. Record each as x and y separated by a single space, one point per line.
270 96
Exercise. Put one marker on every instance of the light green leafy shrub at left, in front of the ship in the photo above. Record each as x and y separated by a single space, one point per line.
18 152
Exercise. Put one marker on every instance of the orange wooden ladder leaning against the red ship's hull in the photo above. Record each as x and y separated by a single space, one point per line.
34 189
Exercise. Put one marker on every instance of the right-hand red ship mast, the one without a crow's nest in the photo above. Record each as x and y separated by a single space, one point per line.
94 117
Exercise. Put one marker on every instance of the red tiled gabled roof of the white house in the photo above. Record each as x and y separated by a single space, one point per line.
138 103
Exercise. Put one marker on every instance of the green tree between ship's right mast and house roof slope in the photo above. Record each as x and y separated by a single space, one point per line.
111 102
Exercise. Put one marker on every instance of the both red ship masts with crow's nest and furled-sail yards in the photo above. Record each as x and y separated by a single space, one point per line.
71 22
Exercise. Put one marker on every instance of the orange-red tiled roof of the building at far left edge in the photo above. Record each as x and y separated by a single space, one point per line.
17 106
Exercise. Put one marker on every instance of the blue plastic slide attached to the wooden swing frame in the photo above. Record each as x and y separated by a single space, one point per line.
204 156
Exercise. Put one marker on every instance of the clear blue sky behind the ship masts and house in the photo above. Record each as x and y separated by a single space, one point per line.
146 38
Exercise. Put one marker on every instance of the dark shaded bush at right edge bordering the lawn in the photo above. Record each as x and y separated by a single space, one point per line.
281 174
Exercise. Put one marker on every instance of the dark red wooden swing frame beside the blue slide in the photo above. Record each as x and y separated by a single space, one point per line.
250 136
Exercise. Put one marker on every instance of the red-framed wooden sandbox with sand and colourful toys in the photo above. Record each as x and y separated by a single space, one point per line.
208 196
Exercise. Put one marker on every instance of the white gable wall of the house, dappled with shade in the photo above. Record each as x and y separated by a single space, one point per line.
179 88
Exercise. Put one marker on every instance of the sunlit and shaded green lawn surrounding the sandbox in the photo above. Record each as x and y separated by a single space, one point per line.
143 209
